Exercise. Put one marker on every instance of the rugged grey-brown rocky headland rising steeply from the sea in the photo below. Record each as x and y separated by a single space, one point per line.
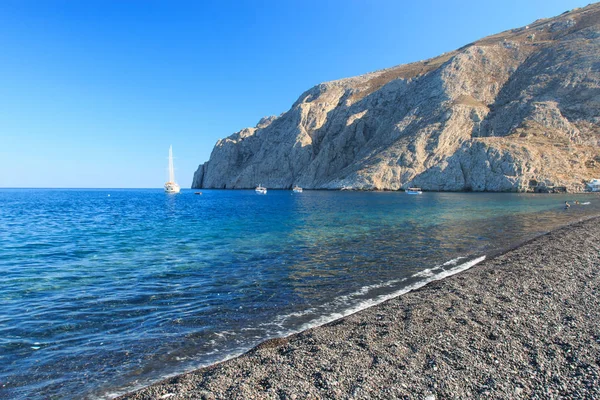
517 111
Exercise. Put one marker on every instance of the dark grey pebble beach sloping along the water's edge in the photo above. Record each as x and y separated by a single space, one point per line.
490 330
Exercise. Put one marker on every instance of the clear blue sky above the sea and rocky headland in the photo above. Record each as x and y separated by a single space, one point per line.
93 92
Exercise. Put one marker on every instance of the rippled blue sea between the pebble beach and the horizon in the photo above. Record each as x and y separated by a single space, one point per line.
102 291
